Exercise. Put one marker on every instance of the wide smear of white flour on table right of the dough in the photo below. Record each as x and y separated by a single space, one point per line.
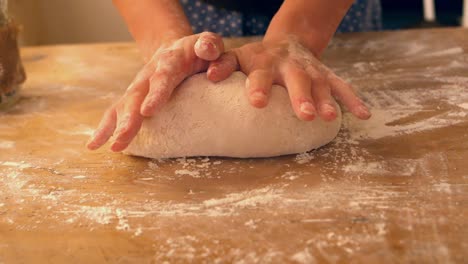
402 118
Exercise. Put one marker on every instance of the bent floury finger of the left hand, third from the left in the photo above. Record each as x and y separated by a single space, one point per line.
169 73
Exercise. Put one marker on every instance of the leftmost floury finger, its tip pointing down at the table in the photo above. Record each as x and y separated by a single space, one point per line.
104 131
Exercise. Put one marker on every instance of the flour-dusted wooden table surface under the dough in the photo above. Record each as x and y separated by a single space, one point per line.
389 190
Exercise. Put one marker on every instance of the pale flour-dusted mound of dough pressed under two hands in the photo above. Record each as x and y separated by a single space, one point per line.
208 119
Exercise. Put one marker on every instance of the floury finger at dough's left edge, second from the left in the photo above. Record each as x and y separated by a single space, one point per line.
129 123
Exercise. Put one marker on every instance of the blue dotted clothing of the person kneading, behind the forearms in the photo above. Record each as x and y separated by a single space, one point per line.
364 15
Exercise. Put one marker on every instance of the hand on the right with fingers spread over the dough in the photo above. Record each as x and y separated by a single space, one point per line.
309 82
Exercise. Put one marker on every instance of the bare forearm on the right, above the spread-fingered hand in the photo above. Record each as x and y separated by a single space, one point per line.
312 22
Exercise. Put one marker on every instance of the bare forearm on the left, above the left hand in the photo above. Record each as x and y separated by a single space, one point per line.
154 22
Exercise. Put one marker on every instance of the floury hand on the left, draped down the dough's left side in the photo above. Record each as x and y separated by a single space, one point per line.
154 84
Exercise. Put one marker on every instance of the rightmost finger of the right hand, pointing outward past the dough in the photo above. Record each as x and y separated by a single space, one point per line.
345 94
